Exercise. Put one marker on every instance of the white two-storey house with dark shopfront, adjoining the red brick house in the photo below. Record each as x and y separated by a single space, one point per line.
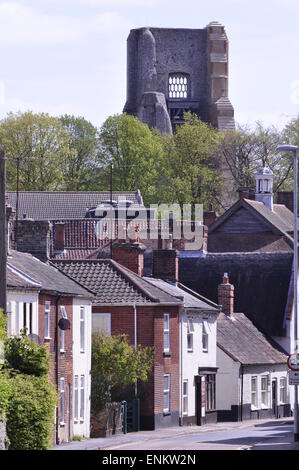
198 361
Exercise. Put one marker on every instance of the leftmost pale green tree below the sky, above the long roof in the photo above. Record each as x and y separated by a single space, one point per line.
39 145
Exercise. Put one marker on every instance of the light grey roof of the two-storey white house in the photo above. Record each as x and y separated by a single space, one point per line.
191 299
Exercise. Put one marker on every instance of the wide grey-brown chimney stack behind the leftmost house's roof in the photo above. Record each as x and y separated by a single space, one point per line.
34 238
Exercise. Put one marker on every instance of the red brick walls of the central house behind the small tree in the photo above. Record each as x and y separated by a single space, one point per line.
150 323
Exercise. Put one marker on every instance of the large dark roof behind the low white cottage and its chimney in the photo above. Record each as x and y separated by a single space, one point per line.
261 283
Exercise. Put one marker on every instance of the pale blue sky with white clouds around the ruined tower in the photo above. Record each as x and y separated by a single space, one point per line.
69 56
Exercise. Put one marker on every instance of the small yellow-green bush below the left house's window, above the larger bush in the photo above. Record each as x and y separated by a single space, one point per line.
24 355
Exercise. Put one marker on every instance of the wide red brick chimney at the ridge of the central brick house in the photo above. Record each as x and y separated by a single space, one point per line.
129 255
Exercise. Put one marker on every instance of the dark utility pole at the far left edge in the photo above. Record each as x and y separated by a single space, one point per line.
3 235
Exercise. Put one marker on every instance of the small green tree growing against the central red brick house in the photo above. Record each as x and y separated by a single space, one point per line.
115 367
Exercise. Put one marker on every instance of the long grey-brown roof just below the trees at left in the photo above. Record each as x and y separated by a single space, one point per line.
56 205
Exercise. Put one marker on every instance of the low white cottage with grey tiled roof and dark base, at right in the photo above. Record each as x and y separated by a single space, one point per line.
252 376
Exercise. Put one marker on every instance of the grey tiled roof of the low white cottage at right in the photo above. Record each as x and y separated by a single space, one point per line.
241 340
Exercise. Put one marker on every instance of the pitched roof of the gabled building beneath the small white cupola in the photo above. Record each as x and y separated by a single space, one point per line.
280 220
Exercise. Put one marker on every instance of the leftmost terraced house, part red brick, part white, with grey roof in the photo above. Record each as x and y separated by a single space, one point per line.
43 300
